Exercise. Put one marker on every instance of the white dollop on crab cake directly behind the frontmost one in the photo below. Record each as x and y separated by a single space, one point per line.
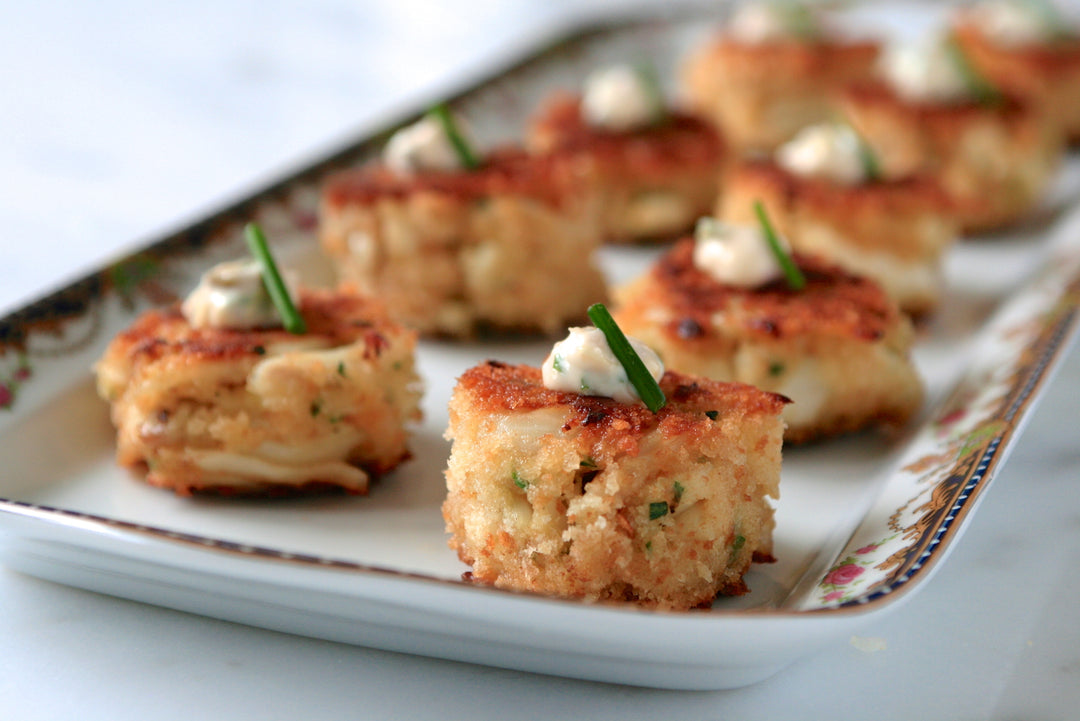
736 255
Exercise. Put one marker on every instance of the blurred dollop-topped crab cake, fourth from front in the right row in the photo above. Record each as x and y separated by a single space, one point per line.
993 154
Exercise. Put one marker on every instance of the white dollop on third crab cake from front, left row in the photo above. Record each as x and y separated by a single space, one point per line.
620 99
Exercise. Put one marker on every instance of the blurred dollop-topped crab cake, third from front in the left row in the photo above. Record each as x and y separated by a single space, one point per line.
655 171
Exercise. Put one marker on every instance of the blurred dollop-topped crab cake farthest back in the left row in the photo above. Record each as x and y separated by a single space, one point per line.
775 70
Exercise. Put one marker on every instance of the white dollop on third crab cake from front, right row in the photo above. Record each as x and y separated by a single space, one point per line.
828 151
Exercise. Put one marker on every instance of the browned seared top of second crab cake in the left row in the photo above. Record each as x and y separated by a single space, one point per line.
505 172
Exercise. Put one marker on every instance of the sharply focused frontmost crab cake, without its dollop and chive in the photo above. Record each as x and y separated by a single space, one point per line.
590 498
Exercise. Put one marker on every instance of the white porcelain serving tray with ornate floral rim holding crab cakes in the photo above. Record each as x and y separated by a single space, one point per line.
862 521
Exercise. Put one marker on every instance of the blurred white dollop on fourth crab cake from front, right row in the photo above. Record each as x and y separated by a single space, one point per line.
925 72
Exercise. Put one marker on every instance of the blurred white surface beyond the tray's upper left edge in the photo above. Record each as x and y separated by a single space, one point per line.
121 120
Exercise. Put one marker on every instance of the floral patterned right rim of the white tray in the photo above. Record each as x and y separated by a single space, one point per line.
950 460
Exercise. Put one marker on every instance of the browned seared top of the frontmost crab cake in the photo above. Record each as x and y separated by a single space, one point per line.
497 387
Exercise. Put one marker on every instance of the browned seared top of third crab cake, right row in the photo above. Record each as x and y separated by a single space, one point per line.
916 193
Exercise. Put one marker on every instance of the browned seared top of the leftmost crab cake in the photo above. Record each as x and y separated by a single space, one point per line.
333 318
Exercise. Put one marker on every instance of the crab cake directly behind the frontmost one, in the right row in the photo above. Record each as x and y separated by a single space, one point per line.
839 348
